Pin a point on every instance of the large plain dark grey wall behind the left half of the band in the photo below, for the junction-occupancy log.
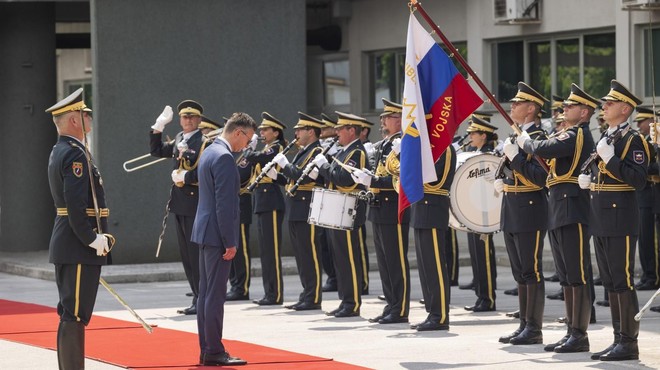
(230, 56)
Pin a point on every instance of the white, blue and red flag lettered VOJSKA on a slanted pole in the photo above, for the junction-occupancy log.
(436, 99)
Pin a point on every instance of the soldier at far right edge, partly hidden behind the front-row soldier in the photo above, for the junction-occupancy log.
(648, 247)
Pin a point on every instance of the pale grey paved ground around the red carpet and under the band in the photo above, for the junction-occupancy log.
(471, 341)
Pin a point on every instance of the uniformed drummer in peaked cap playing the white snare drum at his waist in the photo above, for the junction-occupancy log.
(346, 244)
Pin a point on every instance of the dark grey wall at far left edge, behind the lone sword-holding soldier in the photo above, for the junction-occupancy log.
(27, 88)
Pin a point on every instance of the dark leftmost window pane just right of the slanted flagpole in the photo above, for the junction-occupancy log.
(510, 69)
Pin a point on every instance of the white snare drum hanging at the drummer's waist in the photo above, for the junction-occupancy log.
(332, 209)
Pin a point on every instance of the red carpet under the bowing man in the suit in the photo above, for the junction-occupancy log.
(128, 345)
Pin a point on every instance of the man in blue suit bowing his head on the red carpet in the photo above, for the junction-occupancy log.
(216, 232)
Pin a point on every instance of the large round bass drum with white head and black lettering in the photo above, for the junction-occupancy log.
(475, 205)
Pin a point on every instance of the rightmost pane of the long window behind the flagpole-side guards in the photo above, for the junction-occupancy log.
(599, 63)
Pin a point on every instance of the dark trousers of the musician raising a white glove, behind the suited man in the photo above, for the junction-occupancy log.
(189, 252)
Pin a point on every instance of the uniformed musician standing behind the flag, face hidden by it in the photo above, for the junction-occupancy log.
(429, 248)
